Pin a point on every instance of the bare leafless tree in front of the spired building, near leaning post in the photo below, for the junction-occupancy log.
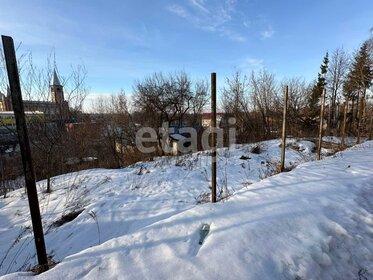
(47, 133)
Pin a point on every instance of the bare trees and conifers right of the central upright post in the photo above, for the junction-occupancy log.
(256, 99)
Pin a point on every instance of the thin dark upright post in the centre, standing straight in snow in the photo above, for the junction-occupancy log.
(213, 137)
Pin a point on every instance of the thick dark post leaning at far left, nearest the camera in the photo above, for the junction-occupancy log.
(15, 89)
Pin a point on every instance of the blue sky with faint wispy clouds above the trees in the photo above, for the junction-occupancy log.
(122, 41)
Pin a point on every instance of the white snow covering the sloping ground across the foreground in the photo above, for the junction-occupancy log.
(315, 222)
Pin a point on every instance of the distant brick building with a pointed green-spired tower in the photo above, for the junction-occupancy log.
(56, 109)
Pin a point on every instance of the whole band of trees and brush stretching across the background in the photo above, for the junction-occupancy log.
(106, 138)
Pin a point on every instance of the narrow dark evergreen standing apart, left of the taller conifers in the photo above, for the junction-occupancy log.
(313, 101)
